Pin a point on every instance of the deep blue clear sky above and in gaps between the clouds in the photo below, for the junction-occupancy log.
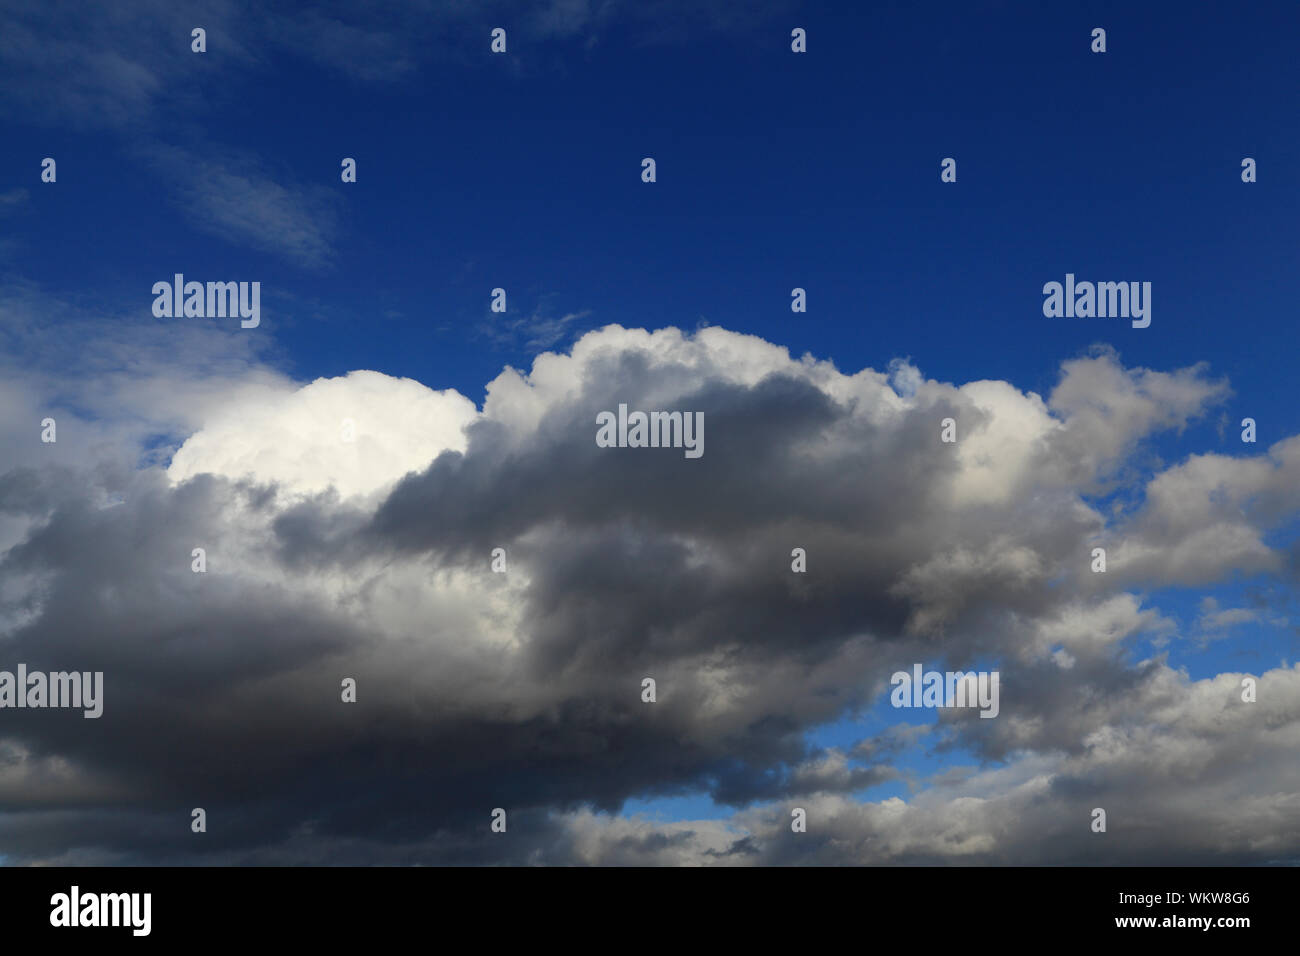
(820, 171)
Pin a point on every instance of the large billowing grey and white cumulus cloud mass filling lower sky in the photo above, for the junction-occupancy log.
(522, 690)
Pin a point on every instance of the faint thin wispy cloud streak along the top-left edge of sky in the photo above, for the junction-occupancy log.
(127, 66)
